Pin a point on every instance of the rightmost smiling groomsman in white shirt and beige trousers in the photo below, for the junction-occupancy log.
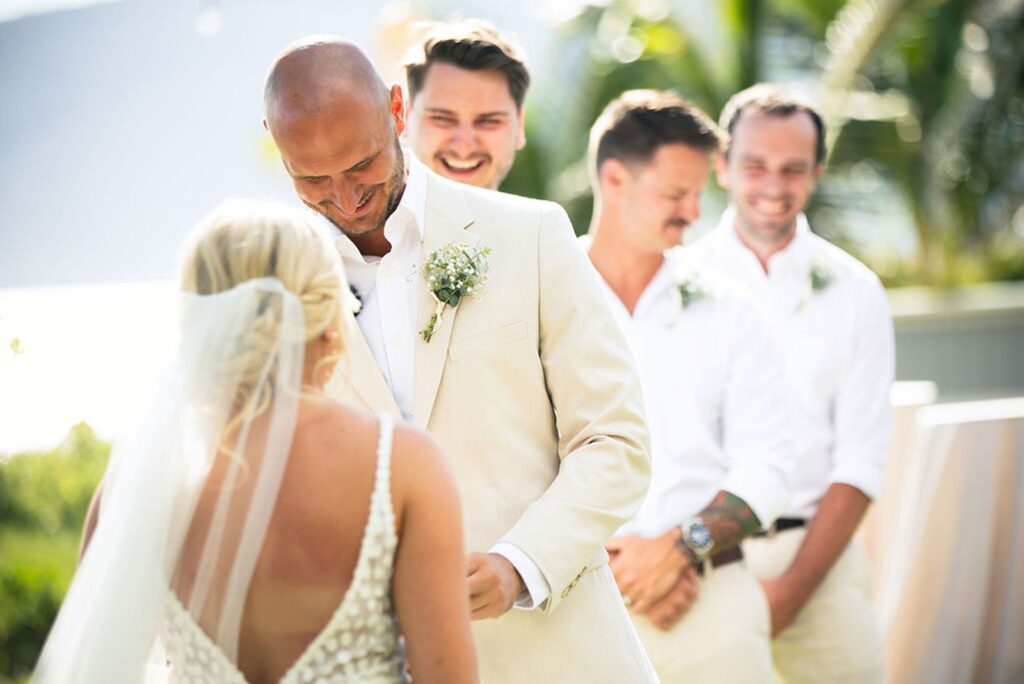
(832, 315)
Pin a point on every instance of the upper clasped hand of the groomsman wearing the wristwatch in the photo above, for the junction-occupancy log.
(647, 570)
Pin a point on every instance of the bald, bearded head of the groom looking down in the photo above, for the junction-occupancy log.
(337, 126)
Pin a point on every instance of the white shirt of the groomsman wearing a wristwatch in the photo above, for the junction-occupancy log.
(713, 382)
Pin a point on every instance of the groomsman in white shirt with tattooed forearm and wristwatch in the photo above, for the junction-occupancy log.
(713, 382)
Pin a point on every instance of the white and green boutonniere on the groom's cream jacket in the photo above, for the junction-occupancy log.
(452, 273)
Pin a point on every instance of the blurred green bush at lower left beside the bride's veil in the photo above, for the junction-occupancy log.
(44, 501)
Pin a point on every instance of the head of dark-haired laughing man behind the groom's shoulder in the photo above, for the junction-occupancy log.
(466, 90)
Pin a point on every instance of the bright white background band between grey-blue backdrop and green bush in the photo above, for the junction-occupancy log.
(89, 354)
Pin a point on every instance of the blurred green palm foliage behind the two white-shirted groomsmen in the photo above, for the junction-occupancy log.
(925, 100)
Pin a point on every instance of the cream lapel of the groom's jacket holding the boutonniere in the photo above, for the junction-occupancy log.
(447, 220)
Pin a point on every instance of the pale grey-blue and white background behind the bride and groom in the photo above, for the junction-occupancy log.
(123, 123)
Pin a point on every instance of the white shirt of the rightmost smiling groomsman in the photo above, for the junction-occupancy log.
(840, 355)
